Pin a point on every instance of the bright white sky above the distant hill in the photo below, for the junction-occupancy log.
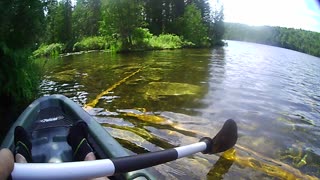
(299, 14)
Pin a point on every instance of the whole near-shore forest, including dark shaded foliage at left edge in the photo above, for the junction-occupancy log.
(35, 28)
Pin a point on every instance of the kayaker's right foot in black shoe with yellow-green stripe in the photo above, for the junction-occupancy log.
(77, 139)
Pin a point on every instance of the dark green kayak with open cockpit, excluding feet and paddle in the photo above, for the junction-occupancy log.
(48, 120)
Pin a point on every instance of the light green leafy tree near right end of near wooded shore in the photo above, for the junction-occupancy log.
(194, 29)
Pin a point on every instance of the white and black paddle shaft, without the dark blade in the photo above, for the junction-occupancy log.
(105, 167)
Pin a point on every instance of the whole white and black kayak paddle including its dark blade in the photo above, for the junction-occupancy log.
(225, 139)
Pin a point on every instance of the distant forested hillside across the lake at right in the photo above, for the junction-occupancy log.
(295, 39)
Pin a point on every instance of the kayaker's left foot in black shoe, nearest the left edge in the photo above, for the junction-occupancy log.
(22, 144)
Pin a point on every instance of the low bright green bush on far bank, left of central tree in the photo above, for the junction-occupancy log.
(90, 43)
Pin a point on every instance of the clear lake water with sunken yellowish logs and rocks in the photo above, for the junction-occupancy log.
(156, 100)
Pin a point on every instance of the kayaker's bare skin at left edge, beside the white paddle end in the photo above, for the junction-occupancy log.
(6, 163)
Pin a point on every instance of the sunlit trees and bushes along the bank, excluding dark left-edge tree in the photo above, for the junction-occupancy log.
(123, 25)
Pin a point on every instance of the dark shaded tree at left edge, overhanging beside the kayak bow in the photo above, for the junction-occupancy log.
(20, 30)
